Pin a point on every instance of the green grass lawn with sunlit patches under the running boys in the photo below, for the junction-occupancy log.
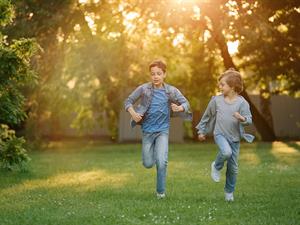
(106, 184)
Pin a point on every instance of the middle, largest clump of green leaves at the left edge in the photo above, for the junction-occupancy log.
(15, 73)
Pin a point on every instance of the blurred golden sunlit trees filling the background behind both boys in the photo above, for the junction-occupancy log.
(96, 51)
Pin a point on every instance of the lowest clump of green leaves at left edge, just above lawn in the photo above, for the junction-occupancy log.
(12, 151)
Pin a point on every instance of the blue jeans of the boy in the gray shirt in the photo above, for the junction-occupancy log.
(228, 151)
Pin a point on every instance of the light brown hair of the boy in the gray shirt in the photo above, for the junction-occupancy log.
(233, 79)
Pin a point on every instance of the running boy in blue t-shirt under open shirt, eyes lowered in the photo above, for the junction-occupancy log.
(158, 101)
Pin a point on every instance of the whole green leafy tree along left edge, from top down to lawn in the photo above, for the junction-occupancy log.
(15, 73)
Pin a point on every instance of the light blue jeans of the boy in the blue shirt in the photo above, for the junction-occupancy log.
(155, 151)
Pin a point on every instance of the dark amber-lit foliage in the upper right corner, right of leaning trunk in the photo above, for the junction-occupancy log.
(269, 48)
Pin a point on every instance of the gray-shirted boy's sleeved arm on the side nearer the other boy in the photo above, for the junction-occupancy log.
(208, 114)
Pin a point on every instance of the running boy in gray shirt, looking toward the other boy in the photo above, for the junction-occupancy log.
(225, 116)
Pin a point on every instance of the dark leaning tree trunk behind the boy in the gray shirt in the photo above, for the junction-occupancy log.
(267, 133)
